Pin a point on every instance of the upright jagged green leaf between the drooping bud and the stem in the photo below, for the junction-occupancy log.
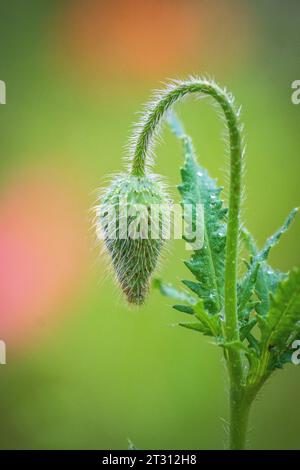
(206, 263)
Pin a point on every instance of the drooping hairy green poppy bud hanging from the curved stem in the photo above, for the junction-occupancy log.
(131, 217)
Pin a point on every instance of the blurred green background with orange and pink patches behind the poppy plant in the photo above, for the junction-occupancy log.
(83, 370)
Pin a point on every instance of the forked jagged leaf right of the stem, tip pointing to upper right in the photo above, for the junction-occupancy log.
(260, 276)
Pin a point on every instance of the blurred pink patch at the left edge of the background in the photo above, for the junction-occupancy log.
(43, 252)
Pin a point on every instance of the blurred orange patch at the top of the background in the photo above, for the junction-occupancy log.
(152, 39)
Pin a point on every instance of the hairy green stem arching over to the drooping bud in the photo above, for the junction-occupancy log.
(142, 146)
